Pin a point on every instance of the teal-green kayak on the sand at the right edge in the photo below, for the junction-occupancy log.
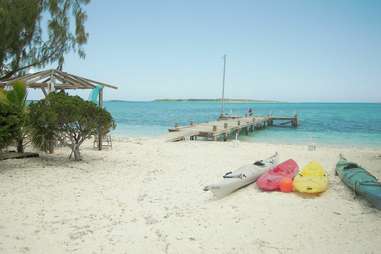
(360, 181)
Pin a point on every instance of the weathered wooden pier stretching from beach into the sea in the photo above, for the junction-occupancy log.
(227, 127)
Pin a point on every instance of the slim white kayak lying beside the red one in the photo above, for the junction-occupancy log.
(242, 177)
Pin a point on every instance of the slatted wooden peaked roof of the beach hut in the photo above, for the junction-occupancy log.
(57, 79)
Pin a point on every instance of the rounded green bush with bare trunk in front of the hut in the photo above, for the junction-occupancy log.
(69, 120)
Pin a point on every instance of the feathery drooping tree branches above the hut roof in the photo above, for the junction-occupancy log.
(35, 33)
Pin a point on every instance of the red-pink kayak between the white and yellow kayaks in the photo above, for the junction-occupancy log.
(270, 180)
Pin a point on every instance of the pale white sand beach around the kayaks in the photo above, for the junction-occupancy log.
(145, 196)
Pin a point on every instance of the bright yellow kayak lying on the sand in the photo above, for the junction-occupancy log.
(311, 179)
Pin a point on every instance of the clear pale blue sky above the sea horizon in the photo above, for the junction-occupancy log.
(295, 51)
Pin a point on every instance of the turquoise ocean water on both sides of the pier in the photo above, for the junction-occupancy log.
(336, 124)
